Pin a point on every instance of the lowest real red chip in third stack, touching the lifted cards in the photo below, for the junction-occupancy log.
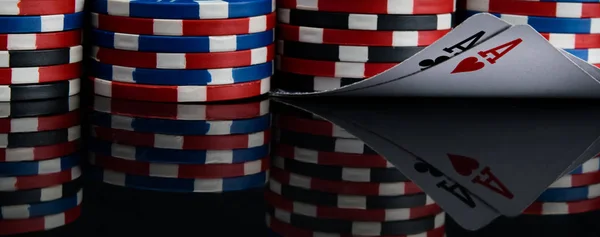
(331, 68)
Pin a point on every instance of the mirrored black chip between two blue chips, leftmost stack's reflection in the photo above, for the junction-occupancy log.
(8, 198)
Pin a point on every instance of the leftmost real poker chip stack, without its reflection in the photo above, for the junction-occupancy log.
(40, 49)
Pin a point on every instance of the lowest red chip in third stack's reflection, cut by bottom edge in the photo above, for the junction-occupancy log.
(289, 230)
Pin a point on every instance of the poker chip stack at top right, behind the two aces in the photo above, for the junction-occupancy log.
(567, 24)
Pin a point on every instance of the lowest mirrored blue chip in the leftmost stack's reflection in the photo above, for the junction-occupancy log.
(41, 208)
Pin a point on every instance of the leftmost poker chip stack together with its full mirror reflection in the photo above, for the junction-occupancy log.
(40, 66)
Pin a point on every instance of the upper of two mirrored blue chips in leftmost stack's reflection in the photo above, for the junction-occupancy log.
(38, 167)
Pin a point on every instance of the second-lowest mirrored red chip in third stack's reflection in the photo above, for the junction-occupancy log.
(381, 215)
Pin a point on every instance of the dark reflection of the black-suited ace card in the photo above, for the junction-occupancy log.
(467, 209)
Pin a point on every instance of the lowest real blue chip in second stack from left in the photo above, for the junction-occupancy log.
(178, 77)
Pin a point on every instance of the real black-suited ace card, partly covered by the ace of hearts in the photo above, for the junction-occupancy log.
(471, 32)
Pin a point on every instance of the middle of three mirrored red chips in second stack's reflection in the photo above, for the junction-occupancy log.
(199, 142)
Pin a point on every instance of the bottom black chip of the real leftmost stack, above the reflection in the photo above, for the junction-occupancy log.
(39, 91)
